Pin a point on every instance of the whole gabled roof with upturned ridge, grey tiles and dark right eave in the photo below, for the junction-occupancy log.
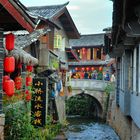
(52, 13)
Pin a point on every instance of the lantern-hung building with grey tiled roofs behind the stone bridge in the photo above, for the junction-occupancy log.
(86, 53)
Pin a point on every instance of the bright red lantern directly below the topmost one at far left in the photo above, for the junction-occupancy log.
(9, 64)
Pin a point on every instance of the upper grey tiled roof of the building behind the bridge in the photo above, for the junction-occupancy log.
(90, 40)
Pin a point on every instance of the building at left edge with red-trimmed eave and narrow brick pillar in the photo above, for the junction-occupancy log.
(13, 17)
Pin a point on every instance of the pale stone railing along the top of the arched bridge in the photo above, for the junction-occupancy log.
(89, 84)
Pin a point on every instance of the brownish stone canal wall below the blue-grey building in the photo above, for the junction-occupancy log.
(123, 125)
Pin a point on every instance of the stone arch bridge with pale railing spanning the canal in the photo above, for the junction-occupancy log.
(93, 88)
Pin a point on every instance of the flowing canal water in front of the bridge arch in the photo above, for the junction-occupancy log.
(80, 129)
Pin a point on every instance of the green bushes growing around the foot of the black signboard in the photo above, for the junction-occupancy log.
(18, 125)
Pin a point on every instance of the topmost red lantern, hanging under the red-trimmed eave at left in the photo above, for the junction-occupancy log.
(9, 41)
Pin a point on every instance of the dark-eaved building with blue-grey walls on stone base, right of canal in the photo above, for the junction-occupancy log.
(125, 47)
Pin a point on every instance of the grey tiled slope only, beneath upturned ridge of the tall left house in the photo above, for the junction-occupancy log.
(47, 12)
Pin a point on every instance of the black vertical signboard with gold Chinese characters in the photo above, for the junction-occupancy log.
(38, 104)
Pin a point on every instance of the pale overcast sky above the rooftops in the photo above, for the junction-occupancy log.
(89, 16)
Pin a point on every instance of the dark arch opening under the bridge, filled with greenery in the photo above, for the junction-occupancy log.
(84, 105)
